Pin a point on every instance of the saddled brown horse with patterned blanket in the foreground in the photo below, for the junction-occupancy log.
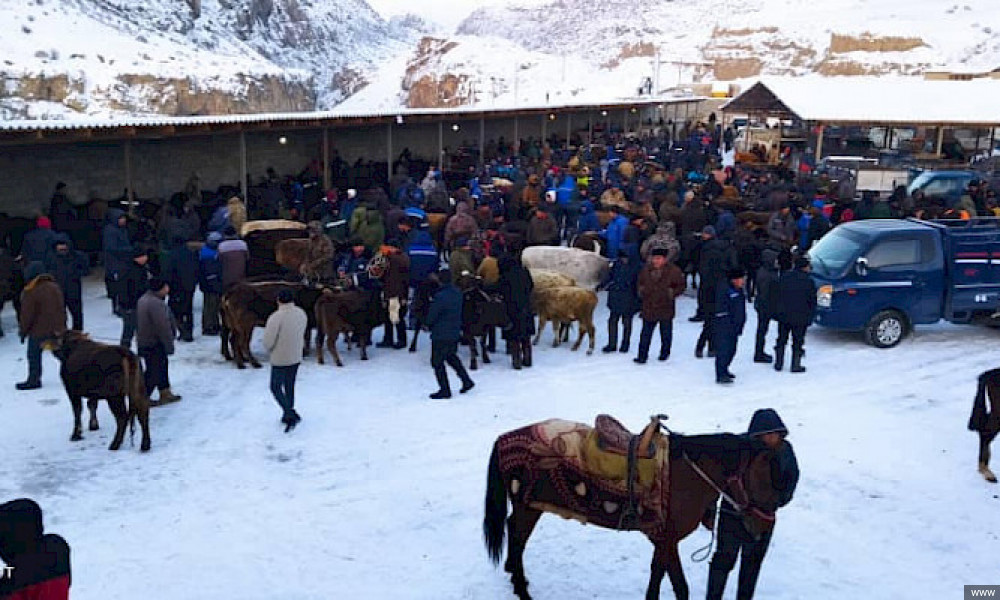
(550, 467)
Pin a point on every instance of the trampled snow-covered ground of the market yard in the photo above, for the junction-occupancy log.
(379, 492)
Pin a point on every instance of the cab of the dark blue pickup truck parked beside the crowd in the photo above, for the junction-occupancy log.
(879, 276)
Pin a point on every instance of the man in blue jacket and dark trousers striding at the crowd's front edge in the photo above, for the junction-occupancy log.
(444, 319)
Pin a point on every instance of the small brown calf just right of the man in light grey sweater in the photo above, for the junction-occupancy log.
(355, 311)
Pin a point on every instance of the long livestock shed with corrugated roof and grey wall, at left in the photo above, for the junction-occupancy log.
(152, 157)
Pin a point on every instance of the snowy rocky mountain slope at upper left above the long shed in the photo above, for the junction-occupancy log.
(128, 55)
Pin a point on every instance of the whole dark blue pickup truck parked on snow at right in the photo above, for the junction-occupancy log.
(883, 276)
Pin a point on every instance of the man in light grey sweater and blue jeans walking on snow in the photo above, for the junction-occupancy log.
(283, 339)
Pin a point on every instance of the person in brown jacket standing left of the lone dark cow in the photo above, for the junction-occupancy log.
(42, 318)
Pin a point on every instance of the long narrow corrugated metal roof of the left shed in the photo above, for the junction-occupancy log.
(111, 123)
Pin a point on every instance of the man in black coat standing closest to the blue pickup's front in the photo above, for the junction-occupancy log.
(795, 311)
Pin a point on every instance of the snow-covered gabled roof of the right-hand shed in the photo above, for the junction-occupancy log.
(892, 100)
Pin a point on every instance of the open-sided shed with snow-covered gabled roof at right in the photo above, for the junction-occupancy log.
(921, 119)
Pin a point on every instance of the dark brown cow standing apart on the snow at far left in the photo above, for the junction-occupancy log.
(97, 371)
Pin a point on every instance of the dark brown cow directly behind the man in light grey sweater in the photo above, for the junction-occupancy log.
(247, 305)
